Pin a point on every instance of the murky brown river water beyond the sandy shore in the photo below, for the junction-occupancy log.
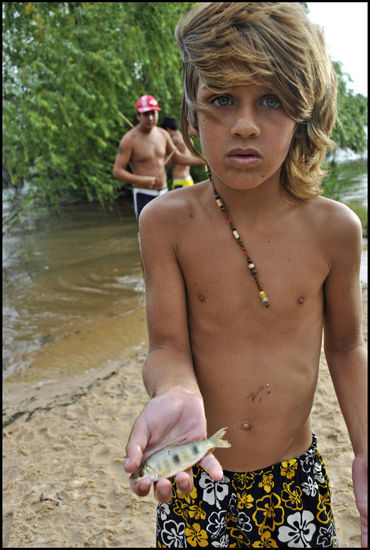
(73, 292)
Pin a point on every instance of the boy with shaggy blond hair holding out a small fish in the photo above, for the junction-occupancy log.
(256, 265)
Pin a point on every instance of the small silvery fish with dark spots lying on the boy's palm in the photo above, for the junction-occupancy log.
(173, 459)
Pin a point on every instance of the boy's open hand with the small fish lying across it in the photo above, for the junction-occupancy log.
(172, 417)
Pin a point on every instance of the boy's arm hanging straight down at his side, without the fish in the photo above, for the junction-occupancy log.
(345, 351)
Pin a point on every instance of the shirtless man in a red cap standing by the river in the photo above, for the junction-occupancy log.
(145, 148)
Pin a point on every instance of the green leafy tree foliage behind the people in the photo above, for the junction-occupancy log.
(69, 67)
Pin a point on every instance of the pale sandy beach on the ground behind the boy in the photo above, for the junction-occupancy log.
(63, 454)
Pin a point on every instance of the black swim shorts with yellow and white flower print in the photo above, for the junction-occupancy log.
(287, 505)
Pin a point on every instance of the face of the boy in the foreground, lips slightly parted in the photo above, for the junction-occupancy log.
(245, 134)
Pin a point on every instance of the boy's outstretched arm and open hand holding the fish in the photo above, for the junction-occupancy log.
(175, 411)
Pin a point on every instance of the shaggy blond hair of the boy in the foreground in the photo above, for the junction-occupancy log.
(226, 44)
